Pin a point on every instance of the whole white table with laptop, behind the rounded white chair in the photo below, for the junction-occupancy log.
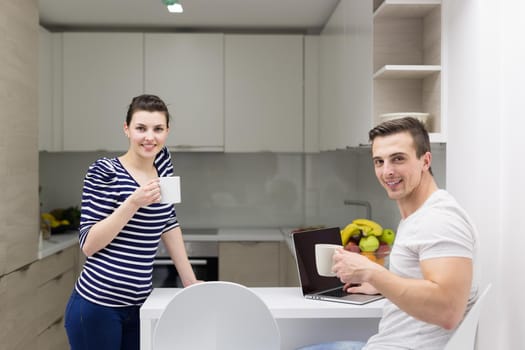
(300, 321)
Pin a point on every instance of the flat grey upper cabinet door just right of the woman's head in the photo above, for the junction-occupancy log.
(186, 71)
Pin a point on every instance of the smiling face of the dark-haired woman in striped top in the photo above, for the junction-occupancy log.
(147, 133)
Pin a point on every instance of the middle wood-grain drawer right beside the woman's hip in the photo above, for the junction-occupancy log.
(52, 298)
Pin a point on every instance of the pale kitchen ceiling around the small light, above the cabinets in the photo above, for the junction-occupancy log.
(305, 16)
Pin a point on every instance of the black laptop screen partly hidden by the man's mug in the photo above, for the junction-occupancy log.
(304, 243)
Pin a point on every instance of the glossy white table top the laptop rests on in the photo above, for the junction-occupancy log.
(284, 302)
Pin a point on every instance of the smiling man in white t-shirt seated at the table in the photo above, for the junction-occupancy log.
(432, 279)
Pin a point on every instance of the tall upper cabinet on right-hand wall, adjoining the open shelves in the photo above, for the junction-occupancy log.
(345, 76)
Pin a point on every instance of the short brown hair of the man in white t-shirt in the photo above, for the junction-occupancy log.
(408, 124)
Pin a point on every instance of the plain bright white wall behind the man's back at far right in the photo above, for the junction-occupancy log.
(485, 165)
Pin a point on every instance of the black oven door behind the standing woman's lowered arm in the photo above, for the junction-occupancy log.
(165, 274)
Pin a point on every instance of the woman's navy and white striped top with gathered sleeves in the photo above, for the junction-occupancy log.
(120, 273)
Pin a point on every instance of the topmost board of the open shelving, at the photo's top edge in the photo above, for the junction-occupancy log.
(405, 8)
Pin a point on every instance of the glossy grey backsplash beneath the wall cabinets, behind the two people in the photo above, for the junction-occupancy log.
(250, 189)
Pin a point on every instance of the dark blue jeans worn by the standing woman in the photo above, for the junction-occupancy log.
(95, 327)
